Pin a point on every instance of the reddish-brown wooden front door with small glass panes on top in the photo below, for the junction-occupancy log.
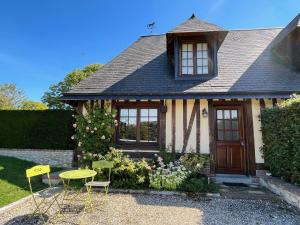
(229, 139)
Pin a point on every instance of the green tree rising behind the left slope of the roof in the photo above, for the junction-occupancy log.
(51, 97)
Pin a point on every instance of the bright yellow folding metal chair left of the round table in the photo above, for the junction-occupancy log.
(40, 170)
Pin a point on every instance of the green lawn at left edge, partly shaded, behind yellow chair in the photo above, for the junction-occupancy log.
(13, 183)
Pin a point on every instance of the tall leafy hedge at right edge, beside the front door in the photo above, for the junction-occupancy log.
(281, 138)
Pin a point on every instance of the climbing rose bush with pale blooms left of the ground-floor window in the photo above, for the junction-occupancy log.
(94, 133)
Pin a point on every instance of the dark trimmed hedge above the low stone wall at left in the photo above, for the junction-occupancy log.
(36, 129)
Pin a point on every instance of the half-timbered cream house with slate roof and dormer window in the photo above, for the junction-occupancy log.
(198, 88)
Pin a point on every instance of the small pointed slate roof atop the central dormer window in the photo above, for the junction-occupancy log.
(194, 24)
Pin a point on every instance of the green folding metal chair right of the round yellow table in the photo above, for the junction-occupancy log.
(99, 166)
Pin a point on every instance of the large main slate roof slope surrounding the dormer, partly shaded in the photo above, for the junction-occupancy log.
(246, 69)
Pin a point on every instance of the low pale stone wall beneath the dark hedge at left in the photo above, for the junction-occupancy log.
(58, 158)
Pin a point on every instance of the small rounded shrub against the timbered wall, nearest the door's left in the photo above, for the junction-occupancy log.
(196, 163)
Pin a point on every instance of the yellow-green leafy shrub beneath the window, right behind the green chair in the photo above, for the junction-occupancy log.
(127, 173)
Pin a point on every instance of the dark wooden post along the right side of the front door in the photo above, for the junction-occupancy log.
(249, 138)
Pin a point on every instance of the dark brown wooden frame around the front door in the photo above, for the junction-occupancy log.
(248, 132)
